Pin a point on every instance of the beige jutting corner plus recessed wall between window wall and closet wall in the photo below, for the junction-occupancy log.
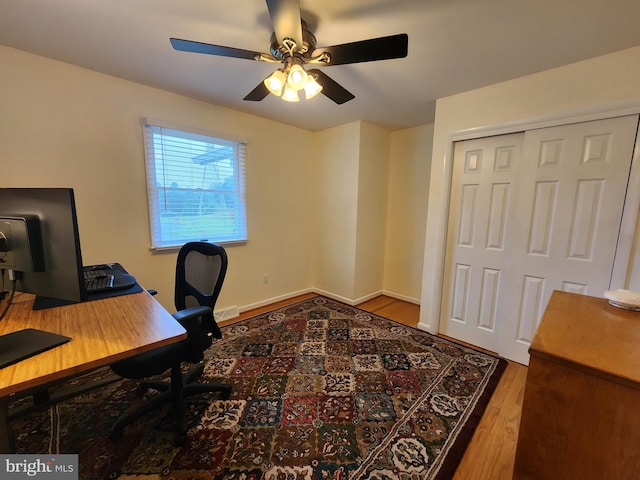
(370, 200)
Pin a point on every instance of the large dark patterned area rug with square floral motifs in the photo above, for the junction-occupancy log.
(321, 391)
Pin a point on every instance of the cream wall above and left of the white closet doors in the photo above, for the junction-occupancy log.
(580, 90)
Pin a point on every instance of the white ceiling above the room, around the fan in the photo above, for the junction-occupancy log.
(454, 46)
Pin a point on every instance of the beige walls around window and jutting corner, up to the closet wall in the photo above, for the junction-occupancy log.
(316, 205)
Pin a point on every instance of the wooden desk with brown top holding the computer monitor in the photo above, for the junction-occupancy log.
(102, 332)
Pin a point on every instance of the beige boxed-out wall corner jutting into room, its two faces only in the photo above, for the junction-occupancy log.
(350, 201)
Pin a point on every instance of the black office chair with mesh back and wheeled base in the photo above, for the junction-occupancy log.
(200, 271)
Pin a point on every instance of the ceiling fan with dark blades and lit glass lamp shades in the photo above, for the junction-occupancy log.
(294, 46)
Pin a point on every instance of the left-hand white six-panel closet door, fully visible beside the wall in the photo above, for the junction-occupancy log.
(482, 209)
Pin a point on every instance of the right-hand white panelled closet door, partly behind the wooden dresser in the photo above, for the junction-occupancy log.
(570, 210)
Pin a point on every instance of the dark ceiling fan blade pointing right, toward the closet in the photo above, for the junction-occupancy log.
(382, 48)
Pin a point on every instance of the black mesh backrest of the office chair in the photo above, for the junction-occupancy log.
(200, 271)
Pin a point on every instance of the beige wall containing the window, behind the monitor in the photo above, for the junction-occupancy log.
(61, 125)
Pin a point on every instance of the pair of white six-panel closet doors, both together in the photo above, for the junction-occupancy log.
(530, 213)
